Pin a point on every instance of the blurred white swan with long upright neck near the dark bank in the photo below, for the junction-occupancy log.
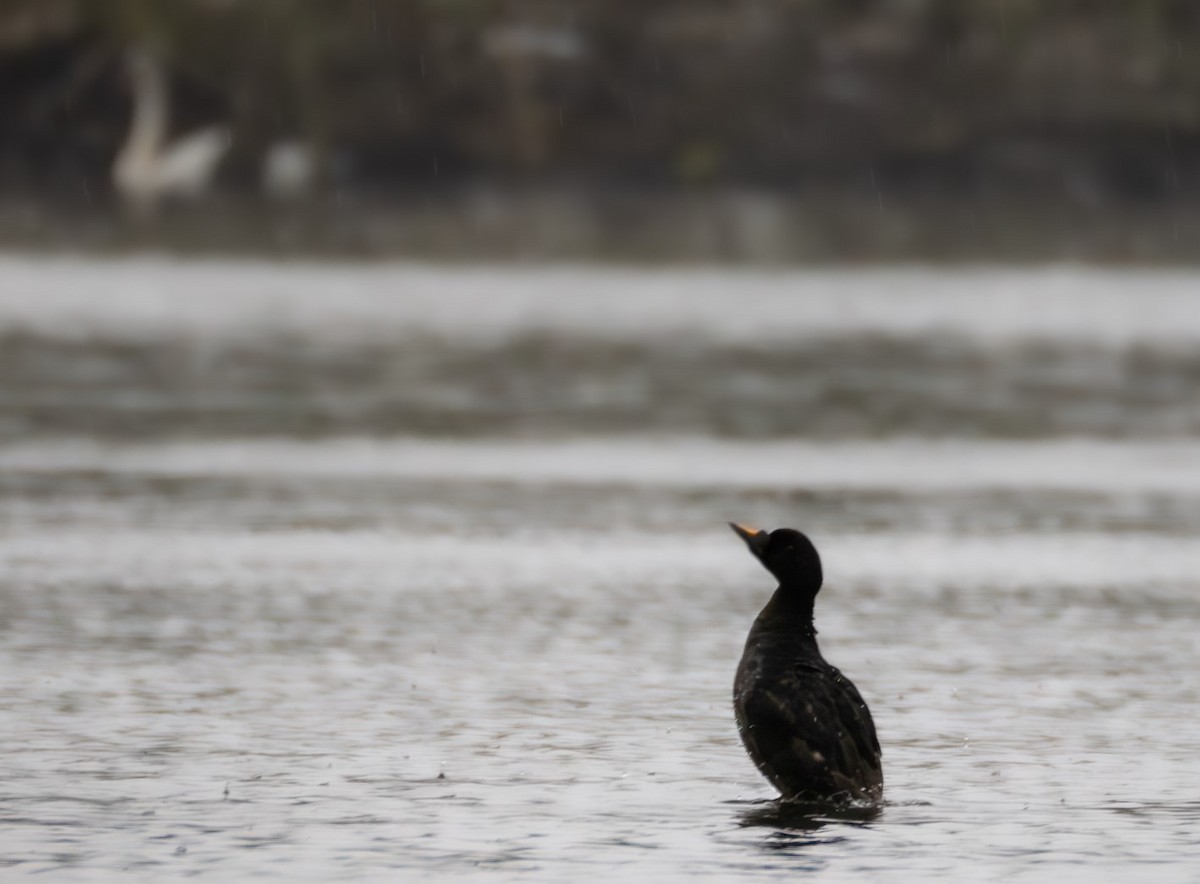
(147, 169)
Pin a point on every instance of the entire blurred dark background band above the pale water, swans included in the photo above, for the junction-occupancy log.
(797, 134)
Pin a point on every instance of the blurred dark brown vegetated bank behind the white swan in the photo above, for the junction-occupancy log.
(1082, 104)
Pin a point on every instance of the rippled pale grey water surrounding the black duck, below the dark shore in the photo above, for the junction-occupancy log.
(405, 573)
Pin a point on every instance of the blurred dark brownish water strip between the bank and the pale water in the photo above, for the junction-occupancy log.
(728, 226)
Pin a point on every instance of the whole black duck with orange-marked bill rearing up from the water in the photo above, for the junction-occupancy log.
(803, 723)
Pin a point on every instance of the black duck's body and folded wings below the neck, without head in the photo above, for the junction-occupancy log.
(803, 723)
